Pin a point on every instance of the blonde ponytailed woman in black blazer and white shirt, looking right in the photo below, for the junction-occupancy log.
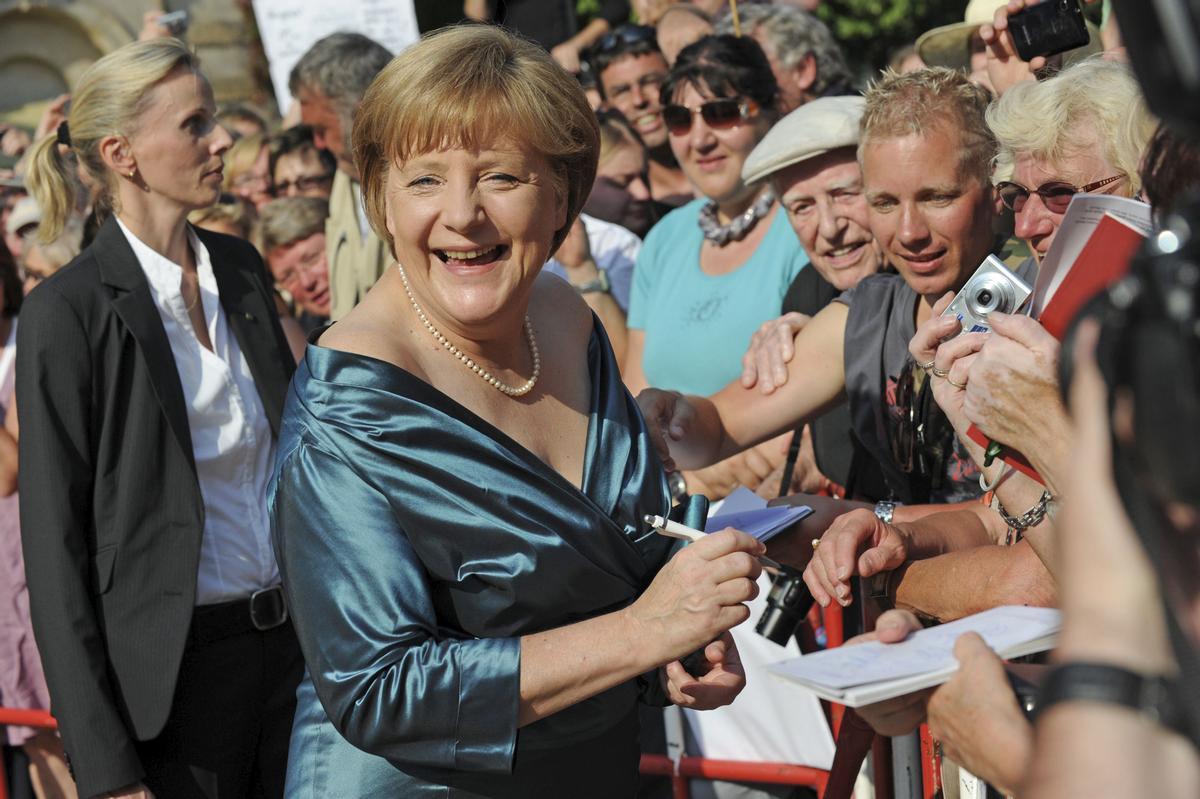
(152, 375)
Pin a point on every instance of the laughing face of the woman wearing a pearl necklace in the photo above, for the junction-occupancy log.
(472, 231)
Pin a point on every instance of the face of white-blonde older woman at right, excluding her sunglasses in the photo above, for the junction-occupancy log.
(1036, 224)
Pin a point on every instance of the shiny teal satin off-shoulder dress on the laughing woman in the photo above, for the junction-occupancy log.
(418, 543)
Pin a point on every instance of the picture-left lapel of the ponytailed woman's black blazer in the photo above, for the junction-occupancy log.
(119, 269)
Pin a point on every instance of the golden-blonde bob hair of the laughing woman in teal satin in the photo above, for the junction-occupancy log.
(470, 87)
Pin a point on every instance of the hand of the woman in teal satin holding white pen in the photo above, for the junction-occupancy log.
(700, 594)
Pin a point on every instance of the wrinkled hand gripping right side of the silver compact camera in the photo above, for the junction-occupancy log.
(1013, 385)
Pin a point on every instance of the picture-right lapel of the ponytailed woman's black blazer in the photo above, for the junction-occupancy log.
(254, 325)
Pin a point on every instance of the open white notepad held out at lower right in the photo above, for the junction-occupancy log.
(873, 672)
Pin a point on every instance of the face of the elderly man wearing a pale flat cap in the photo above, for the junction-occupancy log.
(825, 203)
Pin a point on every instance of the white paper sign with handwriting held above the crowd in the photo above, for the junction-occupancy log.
(289, 28)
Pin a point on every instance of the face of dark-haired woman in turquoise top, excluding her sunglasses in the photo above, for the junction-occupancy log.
(712, 159)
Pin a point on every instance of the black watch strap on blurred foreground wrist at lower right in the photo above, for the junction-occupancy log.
(1107, 684)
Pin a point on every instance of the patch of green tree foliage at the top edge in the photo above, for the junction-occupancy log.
(871, 31)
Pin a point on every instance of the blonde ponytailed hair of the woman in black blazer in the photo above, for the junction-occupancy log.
(107, 101)
